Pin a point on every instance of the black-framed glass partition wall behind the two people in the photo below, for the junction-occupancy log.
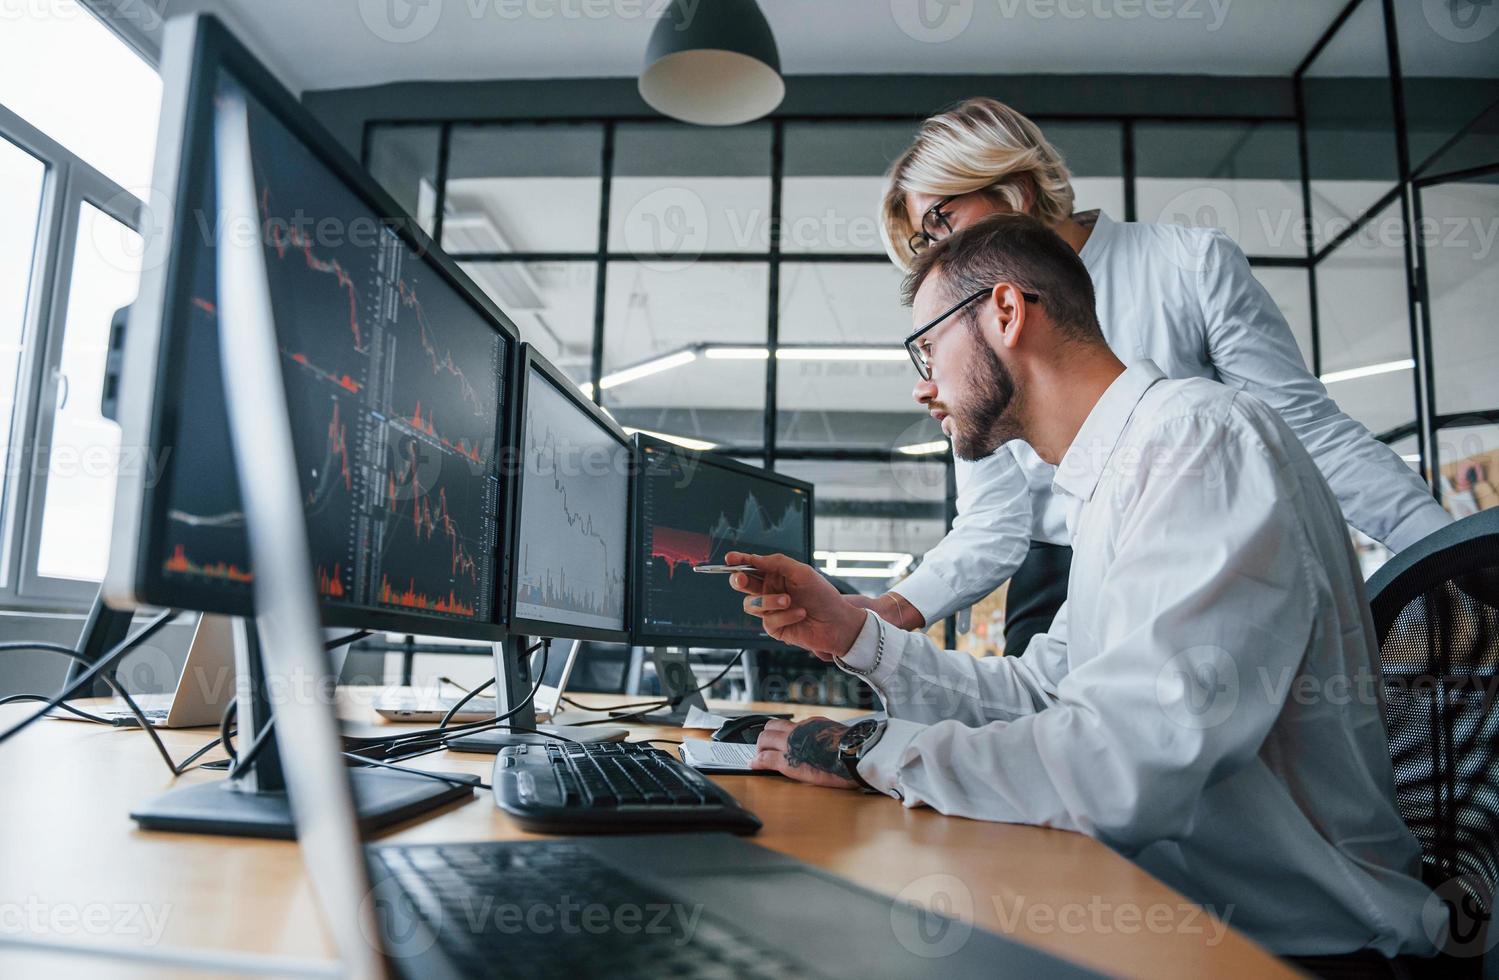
(690, 272)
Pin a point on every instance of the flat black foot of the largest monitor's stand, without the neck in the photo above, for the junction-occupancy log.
(381, 796)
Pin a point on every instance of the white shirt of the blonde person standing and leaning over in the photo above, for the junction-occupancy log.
(1186, 300)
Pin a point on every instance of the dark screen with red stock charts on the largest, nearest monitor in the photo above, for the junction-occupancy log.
(393, 384)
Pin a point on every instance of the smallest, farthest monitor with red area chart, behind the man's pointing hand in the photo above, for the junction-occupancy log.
(692, 509)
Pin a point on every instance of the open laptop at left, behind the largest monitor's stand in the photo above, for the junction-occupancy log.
(205, 689)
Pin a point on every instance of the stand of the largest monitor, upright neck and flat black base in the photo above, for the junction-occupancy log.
(254, 804)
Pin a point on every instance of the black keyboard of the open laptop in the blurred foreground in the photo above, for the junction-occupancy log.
(476, 900)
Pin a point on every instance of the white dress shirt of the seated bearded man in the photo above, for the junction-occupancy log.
(1206, 702)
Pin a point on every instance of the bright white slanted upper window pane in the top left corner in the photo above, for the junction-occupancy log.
(68, 76)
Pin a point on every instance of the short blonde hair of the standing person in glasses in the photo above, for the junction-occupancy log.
(981, 145)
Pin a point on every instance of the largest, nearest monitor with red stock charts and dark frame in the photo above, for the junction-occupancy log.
(396, 369)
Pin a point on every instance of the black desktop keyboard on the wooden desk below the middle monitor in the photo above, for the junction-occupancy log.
(611, 787)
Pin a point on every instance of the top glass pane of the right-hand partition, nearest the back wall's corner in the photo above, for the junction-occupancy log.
(1350, 116)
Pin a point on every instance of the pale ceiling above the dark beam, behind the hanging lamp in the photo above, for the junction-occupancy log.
(362, 43)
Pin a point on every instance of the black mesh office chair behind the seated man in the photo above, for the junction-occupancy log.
(1437, 617)
